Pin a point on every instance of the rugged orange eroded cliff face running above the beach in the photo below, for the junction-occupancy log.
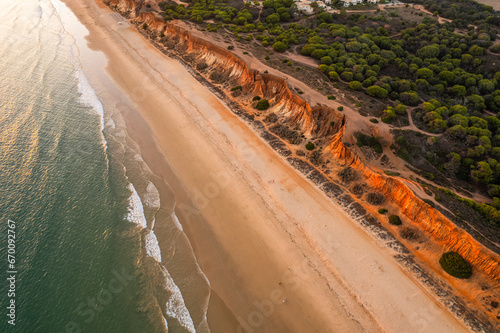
(315, 122)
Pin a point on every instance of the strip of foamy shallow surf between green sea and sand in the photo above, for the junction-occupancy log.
(157, 216)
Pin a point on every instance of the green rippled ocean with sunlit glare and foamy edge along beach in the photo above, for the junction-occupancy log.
(77, 196)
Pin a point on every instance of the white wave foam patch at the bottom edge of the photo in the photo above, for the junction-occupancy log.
(176, 308)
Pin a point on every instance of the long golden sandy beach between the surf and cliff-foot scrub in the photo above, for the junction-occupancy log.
(280, 256)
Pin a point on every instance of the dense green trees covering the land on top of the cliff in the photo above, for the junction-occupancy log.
(443, 75)
